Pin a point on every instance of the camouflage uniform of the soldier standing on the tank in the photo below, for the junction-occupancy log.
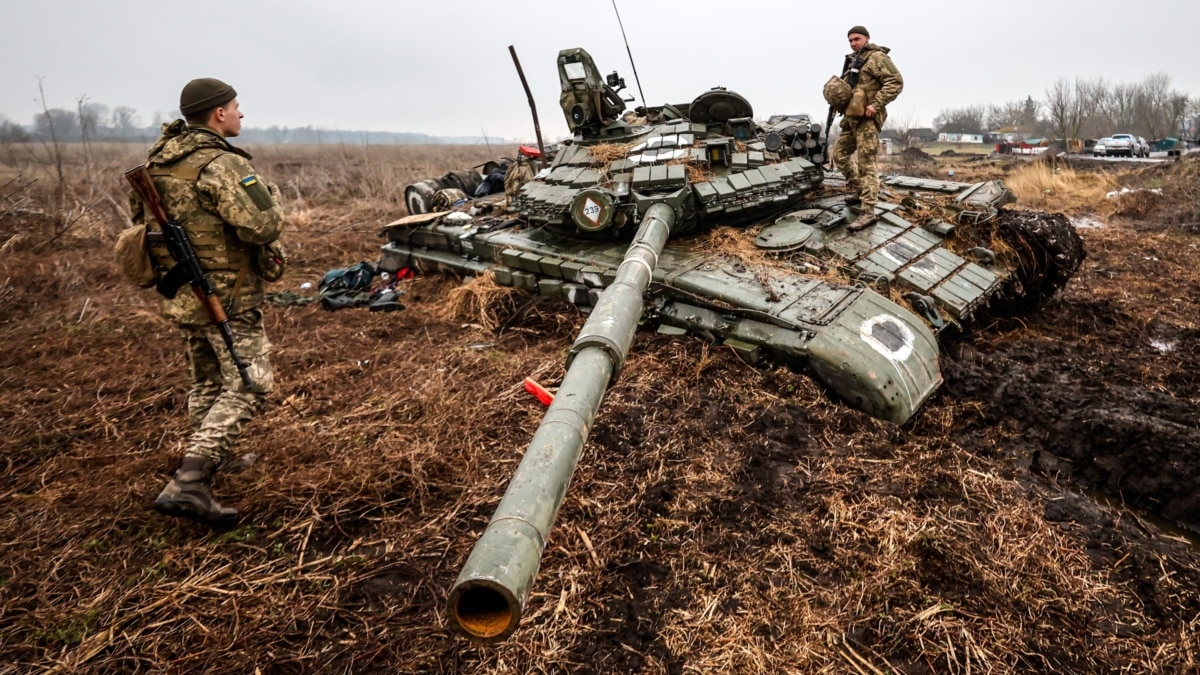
(881, 82)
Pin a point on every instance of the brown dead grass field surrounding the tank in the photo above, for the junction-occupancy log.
(724, 519)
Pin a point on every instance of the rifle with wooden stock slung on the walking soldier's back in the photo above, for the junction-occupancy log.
(188, 267)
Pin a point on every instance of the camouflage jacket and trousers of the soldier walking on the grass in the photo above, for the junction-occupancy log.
(212, 189)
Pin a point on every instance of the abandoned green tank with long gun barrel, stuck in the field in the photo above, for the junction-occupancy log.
(611, 226)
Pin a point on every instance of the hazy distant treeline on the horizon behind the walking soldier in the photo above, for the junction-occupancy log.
(99, 123)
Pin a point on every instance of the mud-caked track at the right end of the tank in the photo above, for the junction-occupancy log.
(1049, 253)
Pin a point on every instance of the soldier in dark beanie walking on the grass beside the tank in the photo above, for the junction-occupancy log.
(212, 189)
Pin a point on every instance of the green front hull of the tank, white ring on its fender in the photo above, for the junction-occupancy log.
(869, 351)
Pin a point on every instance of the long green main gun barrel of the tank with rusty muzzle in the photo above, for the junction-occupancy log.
(490, 595)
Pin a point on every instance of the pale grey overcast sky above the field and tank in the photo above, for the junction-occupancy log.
(443, 68)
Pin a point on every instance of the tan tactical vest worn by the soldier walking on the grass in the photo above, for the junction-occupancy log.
(217, 243)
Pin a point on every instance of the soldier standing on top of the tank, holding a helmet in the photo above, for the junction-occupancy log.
(859, 145)
